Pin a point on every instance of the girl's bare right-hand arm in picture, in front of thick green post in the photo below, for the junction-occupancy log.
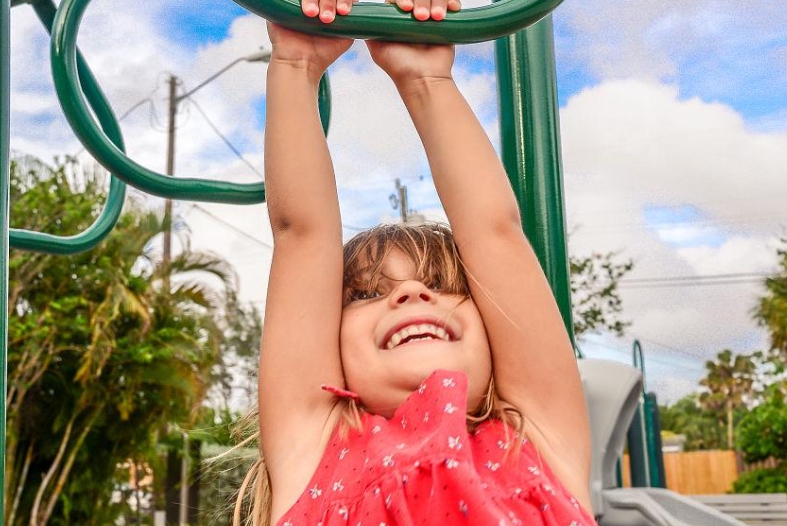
(534, 363)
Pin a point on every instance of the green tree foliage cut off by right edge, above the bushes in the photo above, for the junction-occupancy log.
(771, 311)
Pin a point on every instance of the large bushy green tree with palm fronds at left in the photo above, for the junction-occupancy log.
(100, 358)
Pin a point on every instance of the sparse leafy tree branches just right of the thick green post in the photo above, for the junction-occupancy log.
(595, 296)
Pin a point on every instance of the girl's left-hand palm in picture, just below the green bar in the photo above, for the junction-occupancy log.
(311, 52)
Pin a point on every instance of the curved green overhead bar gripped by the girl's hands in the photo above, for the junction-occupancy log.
(387, 22)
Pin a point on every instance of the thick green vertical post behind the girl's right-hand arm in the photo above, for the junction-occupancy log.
(530, 140)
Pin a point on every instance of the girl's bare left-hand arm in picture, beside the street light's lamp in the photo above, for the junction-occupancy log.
(300, 348)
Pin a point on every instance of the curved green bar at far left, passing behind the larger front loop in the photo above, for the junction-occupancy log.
(51, 244)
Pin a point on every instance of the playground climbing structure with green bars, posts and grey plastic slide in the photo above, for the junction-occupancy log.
(530, 151)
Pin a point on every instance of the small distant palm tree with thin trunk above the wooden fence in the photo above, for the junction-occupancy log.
(728, 384)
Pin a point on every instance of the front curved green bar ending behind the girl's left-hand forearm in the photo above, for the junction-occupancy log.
(69, 91)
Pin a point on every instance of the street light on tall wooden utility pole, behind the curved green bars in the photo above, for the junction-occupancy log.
(263, 55)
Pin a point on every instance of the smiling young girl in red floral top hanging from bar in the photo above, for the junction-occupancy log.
(415, 376)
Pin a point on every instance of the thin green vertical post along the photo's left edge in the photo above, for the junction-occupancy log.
(5, 168)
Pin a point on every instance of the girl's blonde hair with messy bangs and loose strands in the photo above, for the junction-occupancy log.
(432, 250)
